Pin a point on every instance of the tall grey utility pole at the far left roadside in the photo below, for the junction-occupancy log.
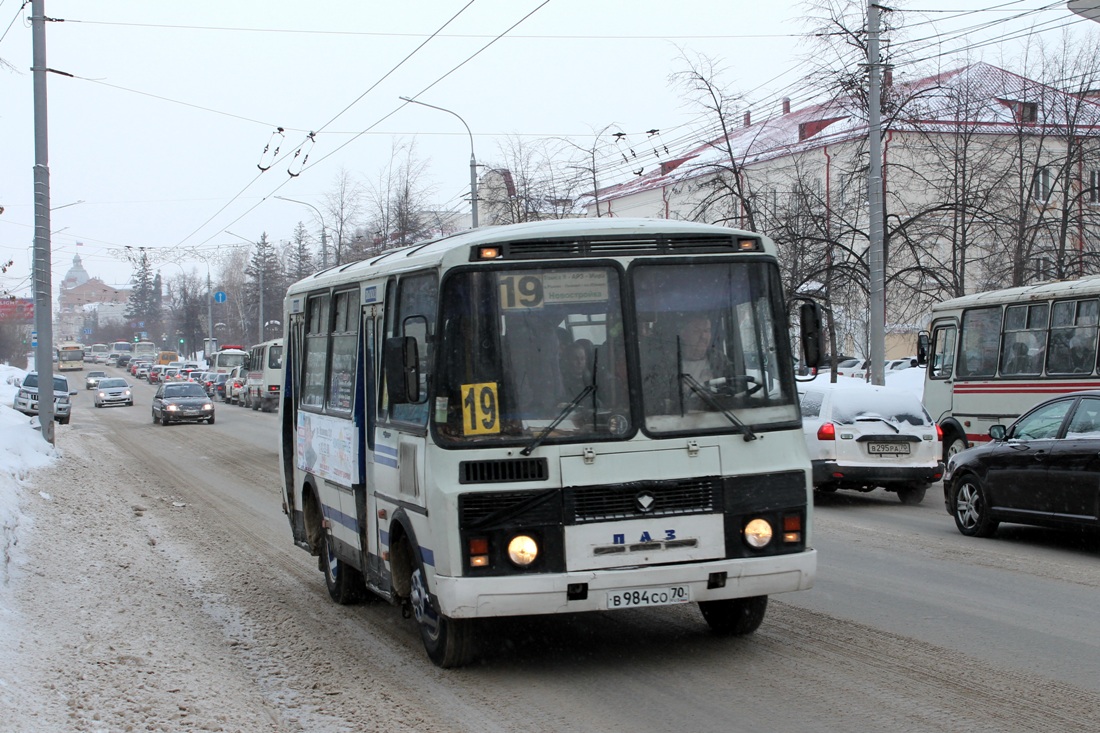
(43, 279)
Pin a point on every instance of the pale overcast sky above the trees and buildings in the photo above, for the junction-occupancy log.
(160, 132)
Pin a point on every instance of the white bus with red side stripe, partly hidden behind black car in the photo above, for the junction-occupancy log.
(995, 355)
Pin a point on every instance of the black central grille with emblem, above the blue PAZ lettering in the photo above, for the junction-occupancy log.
(643, 499)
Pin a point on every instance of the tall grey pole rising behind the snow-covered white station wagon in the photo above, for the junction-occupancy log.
(876, 262)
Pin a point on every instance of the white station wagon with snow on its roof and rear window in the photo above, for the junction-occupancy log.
(862, 437)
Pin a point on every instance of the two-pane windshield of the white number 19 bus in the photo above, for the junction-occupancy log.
(540, 353)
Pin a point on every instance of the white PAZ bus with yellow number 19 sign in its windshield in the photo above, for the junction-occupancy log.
(551, 418)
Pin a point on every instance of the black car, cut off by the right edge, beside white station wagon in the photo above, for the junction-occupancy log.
(1043, 471)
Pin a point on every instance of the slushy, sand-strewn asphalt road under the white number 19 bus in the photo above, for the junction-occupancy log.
(160, 590)
